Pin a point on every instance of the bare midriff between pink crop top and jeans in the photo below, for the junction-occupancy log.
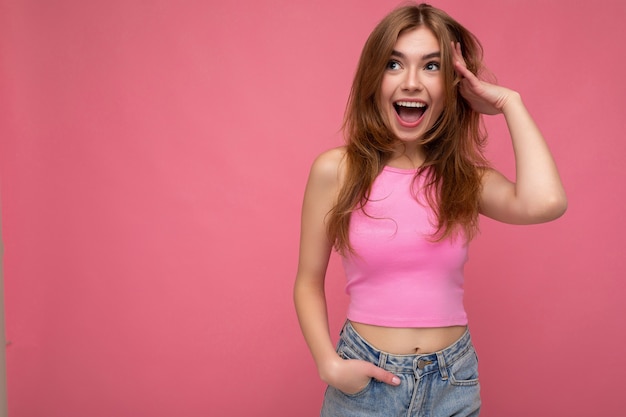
(409, 341)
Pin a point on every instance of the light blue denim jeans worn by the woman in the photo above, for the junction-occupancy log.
(441, 384)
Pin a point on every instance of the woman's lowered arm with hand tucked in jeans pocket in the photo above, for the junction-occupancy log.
(349, 376)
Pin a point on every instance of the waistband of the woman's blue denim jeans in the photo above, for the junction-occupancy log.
(418, 364)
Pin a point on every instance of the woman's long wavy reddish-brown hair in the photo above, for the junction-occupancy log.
(454, 145)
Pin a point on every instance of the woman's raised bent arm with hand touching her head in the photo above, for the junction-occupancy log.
(537, 195)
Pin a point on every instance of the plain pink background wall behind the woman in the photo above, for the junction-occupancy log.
(153, 156)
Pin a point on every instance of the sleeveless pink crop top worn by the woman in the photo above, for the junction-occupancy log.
(398, 277)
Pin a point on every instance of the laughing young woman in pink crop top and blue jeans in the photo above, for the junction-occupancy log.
(400, 203)
